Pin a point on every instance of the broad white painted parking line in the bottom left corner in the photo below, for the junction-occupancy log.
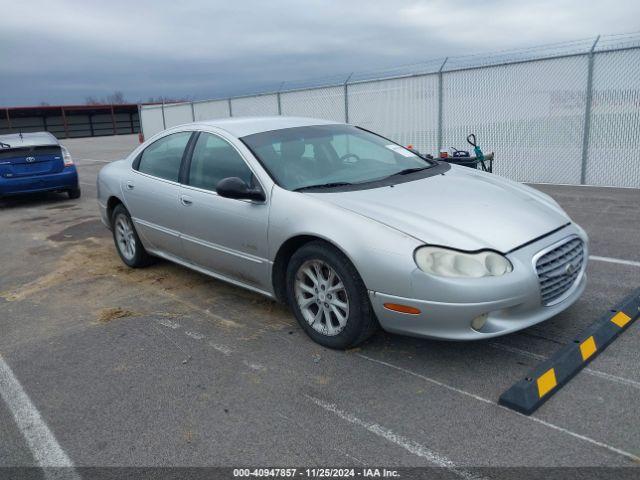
(46, 450)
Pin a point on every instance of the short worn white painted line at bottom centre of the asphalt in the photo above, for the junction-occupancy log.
(390, 436)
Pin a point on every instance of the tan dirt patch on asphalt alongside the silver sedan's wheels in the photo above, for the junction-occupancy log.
(92, 276)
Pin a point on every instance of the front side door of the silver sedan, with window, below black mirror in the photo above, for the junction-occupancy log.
(223, 235)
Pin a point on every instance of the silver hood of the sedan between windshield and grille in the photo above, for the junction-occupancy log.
(463, 209)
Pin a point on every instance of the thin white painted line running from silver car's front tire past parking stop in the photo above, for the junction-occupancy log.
(479, 398)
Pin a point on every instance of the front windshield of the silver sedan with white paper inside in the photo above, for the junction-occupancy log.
(325, 156)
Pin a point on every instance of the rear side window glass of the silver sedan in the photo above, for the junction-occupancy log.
(163, 157)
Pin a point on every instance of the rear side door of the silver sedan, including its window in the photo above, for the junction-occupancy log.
(152, 192)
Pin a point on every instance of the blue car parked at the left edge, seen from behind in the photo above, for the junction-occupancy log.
(36, 162)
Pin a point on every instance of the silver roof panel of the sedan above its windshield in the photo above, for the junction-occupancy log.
(243, 126)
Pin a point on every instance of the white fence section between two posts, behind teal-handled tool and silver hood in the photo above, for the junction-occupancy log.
(531, 114)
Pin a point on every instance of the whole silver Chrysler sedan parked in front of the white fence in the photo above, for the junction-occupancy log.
(348, 228)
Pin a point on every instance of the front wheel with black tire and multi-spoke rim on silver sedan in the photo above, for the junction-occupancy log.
(307, 301)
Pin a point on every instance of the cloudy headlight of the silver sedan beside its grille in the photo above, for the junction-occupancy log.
(451, 263)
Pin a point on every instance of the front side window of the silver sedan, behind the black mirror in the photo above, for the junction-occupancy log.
(214, 159)
